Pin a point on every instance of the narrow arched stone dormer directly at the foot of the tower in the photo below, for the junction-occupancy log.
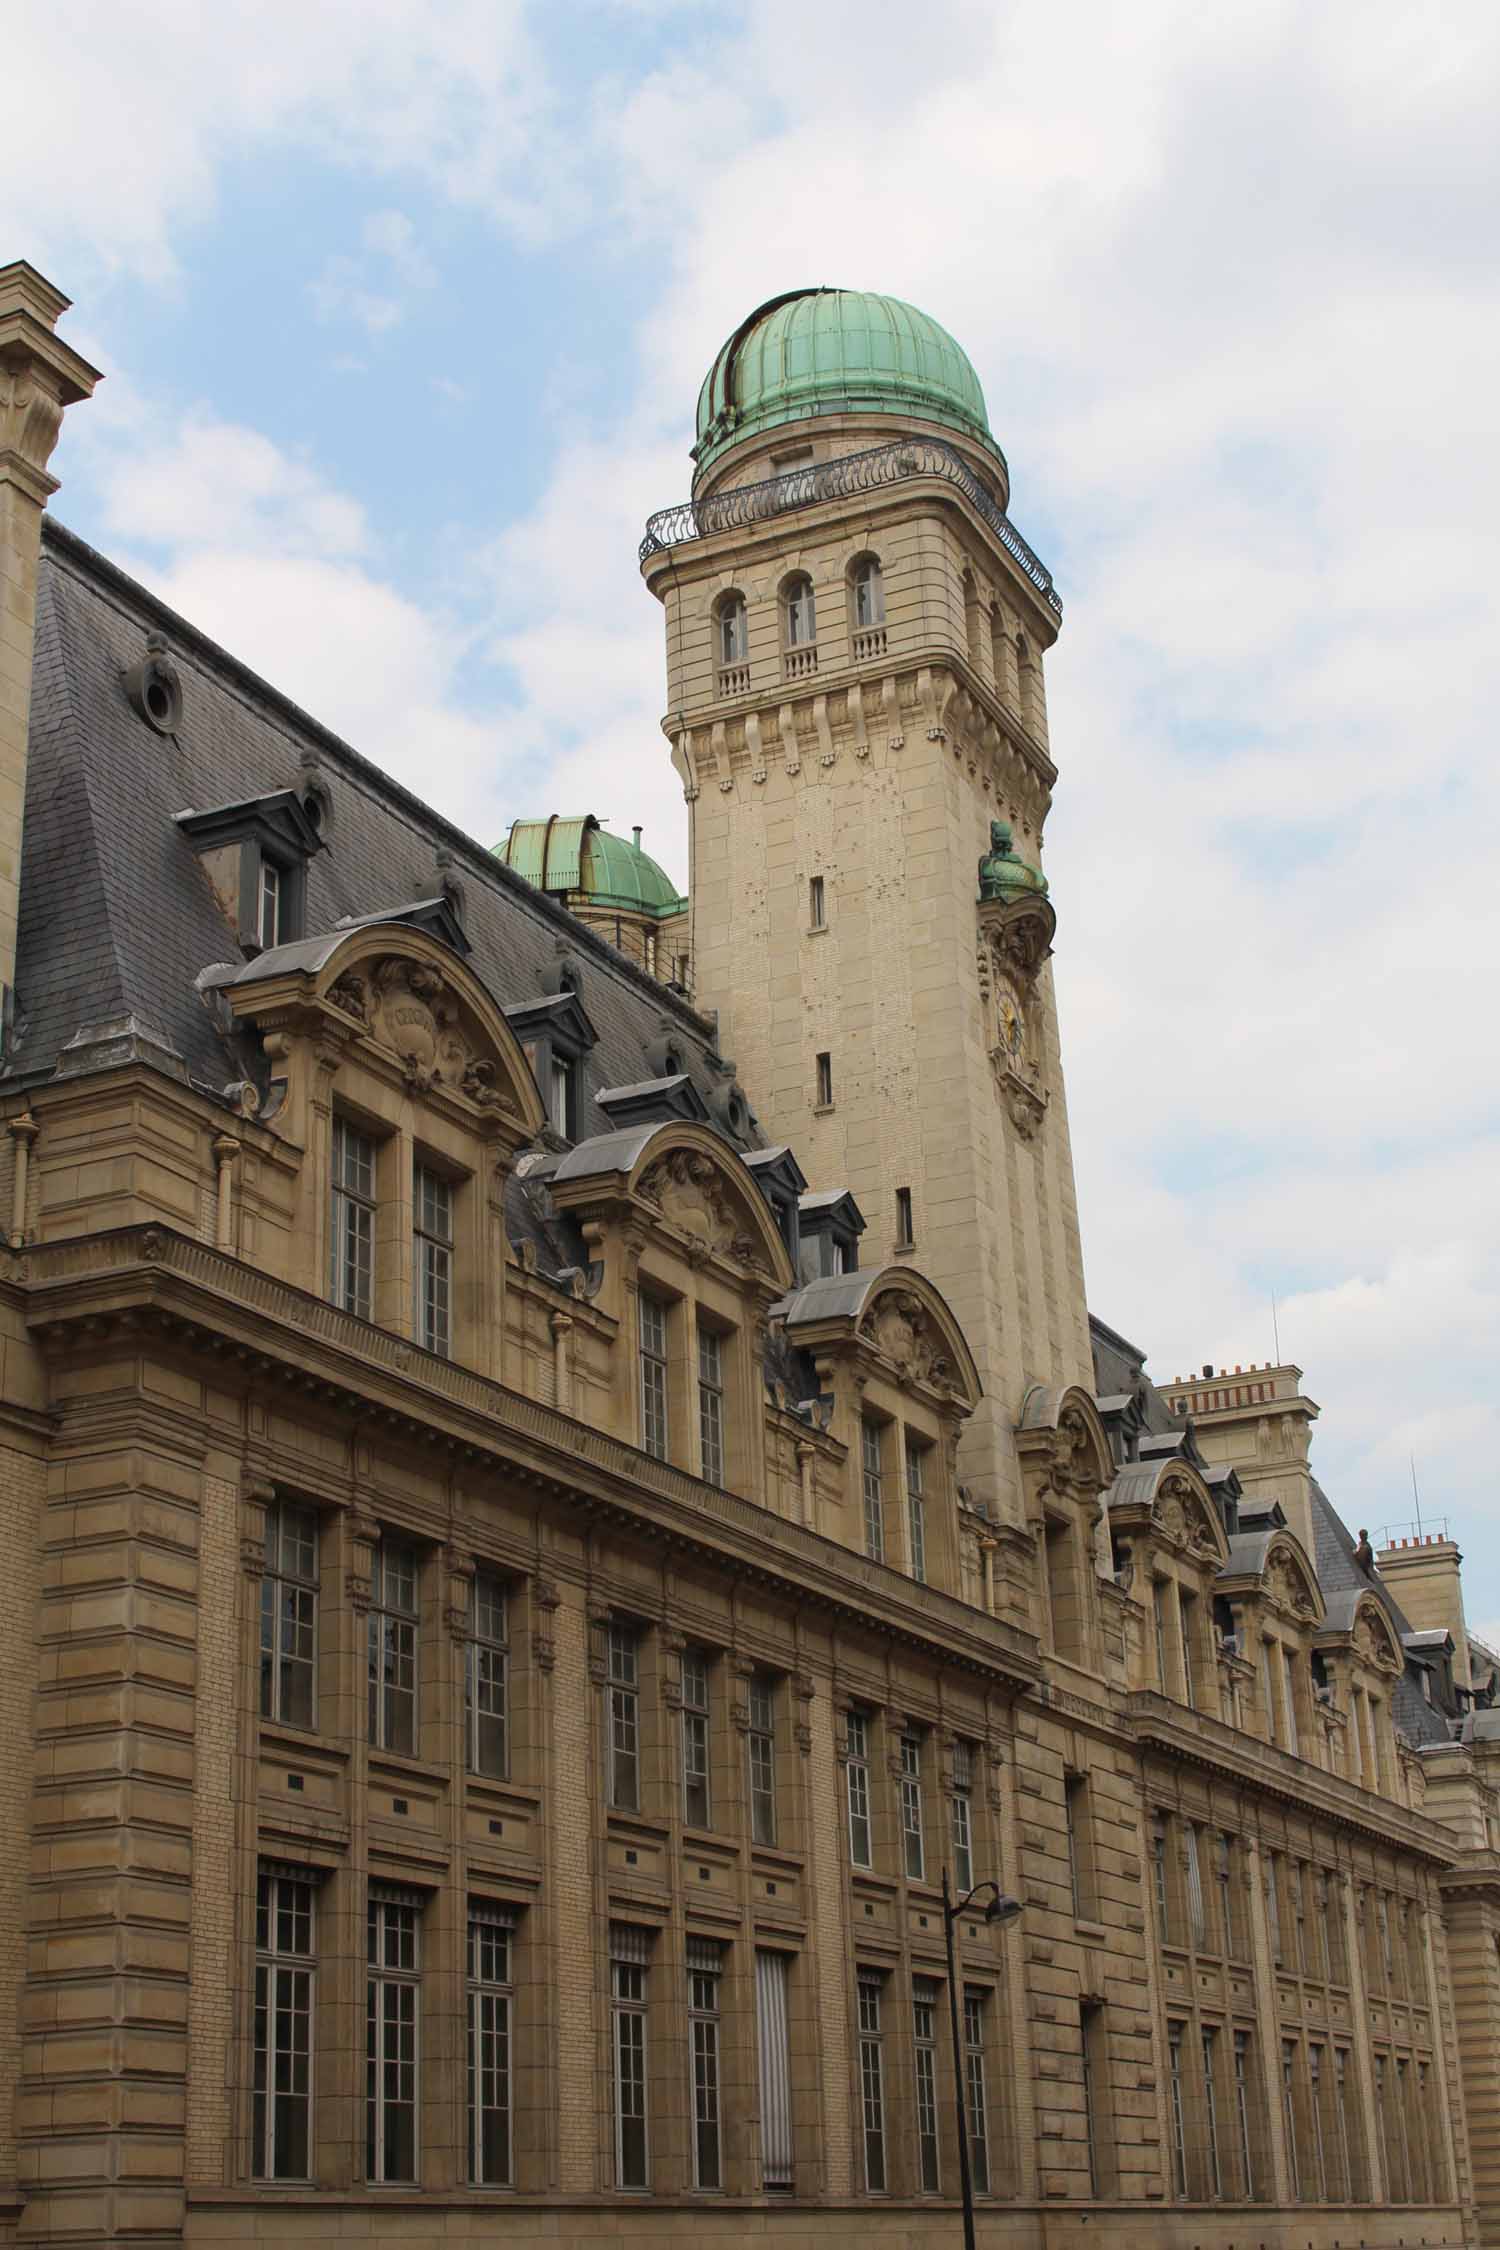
(1065, 1473)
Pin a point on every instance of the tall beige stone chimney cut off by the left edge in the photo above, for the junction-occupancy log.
(39, 379)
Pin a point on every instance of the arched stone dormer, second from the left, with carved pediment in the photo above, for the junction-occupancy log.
(692, 1261)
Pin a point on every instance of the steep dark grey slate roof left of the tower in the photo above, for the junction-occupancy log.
(102, 840)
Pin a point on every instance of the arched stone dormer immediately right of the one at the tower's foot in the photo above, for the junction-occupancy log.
(1168, 1549)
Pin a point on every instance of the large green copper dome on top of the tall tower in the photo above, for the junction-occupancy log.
(835, 352)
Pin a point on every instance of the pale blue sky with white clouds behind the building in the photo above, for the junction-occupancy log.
(404, 309)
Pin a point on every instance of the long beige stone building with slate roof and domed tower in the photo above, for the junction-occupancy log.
(516, 1608)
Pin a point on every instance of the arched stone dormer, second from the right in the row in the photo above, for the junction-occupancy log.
(1276, 1605)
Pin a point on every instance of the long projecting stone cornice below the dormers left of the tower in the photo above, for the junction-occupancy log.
(201, 1299)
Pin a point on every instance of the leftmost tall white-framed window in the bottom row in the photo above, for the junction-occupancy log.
(282, 2125)
